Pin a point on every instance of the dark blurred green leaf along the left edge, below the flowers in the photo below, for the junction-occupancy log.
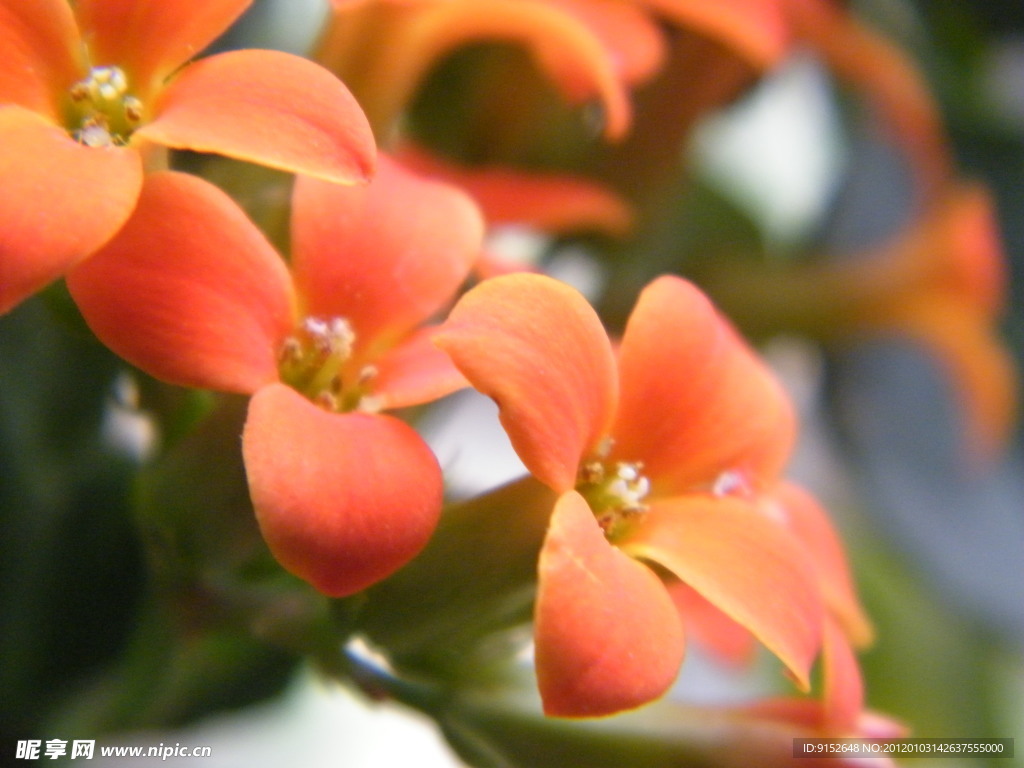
(71, 573)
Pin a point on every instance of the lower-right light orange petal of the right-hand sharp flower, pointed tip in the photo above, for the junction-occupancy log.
(747, 566)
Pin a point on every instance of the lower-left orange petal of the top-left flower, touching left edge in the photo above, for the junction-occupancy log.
(60, 201)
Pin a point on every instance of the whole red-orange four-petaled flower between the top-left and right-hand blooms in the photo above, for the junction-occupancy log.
(192, 292)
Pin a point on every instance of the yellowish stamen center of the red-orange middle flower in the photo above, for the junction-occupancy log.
(314, 361)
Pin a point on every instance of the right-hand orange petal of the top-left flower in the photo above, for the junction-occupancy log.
(269, 108)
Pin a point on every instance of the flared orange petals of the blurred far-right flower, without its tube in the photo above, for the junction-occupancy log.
(944, 283)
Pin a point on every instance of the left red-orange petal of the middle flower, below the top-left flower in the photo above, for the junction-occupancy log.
(190, 291)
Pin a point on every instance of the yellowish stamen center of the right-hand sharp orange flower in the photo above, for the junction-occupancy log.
(615, 491)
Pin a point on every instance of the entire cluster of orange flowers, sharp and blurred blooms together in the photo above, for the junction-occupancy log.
(665, 448)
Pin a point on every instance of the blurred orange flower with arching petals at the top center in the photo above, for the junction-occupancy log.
(590, 50)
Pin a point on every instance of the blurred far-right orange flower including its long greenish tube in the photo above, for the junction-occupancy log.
(941, 282)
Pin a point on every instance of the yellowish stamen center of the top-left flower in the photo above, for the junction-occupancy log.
(103, 113)
